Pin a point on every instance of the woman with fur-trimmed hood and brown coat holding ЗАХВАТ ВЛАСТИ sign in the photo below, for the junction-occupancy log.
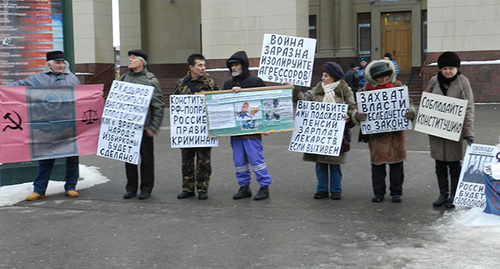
(385, 148)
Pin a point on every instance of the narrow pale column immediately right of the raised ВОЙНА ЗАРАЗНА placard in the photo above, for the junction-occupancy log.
(326, 45)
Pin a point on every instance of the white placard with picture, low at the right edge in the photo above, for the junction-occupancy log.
(470, 189)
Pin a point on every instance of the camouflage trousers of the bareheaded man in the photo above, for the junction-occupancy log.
(196, 176)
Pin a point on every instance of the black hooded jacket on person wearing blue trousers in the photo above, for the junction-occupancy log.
(244, 80)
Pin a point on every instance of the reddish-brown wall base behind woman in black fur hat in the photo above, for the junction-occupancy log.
(484, 78)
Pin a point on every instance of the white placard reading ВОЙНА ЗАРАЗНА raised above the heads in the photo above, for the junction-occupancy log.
(287, 59)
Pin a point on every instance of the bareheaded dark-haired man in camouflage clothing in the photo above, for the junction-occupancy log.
(196, 80)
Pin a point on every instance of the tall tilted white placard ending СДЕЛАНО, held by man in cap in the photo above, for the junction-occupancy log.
(123, 120)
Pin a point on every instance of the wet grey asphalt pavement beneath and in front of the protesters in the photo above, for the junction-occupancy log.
(289, 230)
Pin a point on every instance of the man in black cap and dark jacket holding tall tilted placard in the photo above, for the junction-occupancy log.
(139, 74)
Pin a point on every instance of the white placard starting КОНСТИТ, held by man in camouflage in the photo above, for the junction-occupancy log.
(188, 122)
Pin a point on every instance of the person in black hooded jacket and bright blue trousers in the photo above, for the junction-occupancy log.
(247, 148)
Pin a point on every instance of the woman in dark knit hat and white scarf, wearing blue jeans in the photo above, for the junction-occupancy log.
(332, 89)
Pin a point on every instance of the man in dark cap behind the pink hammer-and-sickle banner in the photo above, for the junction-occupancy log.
(56, 72)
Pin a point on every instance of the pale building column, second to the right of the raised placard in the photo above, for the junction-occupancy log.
(346, 37)
